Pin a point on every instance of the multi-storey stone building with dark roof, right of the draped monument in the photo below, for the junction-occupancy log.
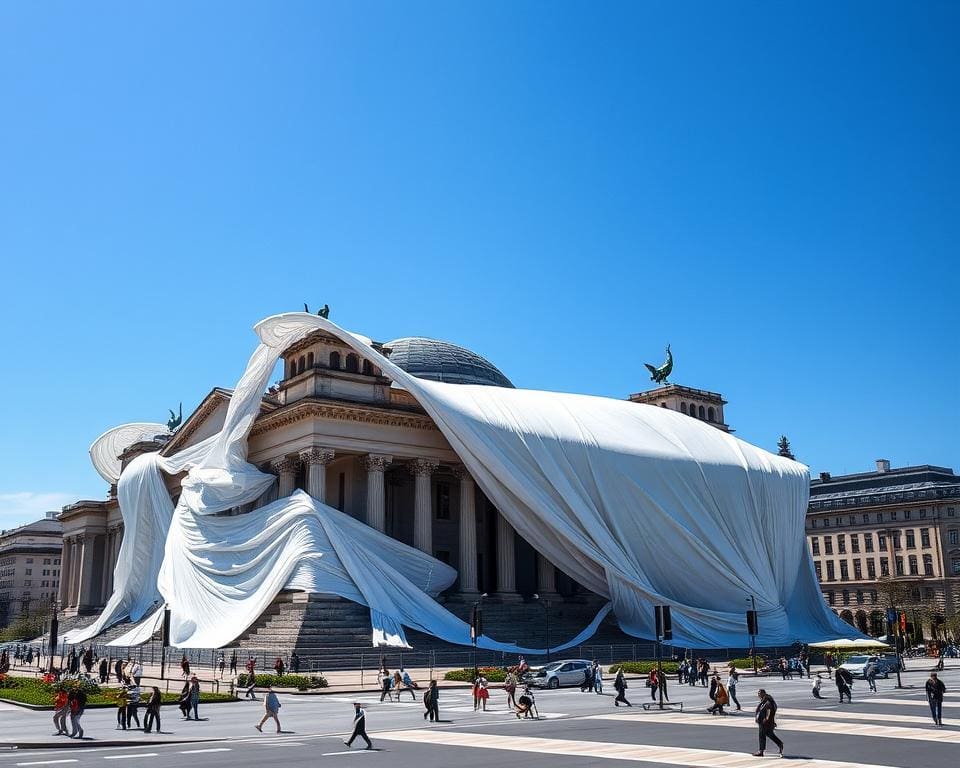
(888, 538)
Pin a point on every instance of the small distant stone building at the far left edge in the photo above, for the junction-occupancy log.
(29, 567)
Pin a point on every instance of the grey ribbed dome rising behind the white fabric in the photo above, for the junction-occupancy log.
(441, 361)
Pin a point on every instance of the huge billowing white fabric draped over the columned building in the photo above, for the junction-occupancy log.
(640, 504)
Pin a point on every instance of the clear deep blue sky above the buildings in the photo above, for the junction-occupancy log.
(564, 187)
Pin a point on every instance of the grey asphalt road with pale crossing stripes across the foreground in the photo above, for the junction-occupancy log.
(891, 728)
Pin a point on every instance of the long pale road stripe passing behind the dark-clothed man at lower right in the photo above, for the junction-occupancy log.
(787, 724)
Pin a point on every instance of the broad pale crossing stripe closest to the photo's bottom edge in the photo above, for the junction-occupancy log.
(641, 753)
